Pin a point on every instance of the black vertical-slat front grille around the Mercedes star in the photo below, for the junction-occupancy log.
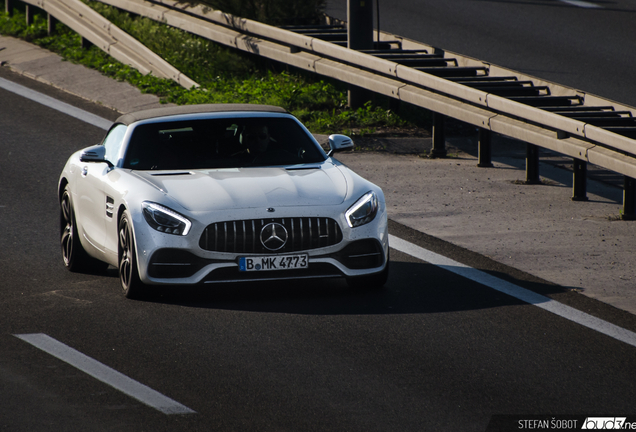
(303, 233)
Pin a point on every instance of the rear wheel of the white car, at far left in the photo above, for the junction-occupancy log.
(73, 254)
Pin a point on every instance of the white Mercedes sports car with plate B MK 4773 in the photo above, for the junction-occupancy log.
(204, 194)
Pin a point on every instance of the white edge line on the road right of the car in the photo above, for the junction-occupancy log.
(513, 290)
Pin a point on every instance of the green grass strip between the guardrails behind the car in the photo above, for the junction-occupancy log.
(225, 75)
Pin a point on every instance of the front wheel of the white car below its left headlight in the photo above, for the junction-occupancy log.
(128, 269)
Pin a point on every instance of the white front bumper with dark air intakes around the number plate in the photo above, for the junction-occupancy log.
(165, 259)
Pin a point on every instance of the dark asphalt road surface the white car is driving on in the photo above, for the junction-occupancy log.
(433, 351)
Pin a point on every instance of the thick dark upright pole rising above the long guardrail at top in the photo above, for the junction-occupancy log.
(359, 37)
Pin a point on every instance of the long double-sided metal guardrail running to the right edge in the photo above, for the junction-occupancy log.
(494, 99)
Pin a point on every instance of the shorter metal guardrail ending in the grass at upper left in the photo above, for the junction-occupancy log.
(111, 39)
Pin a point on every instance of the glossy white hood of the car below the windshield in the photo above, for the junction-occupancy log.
(222, 189)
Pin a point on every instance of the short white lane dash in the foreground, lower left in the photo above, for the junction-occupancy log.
(107, 375)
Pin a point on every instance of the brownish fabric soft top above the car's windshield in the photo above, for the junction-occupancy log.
(194, 109)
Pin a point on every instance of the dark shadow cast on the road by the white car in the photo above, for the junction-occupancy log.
(413, 287)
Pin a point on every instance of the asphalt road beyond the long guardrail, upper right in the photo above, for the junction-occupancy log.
(586, 45)
